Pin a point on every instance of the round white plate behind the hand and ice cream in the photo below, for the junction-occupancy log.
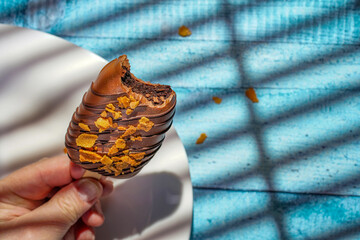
(42, 80)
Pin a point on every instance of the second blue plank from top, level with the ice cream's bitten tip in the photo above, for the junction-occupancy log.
(192, 64)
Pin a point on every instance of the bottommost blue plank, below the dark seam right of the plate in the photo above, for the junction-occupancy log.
(258, 215)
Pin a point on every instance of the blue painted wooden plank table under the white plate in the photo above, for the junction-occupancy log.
(287, 167)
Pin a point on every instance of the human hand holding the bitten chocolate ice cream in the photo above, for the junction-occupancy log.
(49, 200)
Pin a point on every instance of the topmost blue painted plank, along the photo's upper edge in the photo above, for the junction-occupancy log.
(309, 21)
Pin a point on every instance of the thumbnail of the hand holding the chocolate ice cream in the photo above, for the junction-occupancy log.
(88, 189)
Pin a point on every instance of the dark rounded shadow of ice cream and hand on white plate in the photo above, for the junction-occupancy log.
(139, 203)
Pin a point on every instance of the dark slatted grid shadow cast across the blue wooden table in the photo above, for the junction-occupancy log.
(276, 208)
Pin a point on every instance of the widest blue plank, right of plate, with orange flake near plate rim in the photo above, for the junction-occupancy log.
(292, 140)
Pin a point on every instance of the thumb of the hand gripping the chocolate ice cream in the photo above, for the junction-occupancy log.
(68, 205)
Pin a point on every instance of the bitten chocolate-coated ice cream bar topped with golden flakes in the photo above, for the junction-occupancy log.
(120, 123)
